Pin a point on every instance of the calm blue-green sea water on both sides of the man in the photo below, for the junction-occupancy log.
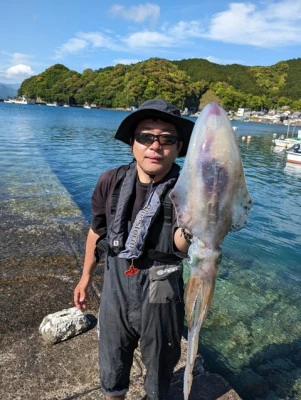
(252, 334)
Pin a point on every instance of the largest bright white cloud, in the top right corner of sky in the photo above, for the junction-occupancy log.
(276, 25)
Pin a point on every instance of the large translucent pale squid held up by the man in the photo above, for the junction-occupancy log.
(211, 198)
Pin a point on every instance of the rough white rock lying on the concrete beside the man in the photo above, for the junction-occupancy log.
(63, 325)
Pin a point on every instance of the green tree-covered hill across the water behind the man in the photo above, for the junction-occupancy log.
(182, 82)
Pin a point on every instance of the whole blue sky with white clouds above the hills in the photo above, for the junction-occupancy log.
(35, 35)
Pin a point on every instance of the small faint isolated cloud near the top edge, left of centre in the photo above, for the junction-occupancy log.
(138, 14)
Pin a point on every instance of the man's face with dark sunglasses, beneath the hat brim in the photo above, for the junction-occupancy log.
(154, 158)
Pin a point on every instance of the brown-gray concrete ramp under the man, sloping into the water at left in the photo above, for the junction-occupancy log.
(42, 246)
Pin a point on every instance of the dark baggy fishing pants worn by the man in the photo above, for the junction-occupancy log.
(148, 307)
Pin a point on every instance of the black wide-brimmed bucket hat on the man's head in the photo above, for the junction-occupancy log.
(161, 109)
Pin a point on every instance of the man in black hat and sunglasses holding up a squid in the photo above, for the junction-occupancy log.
(142, 298)
